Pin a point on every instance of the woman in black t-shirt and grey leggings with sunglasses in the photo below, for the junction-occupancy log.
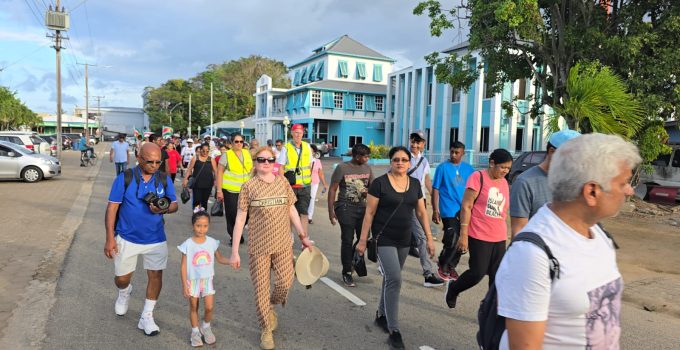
(390, 202)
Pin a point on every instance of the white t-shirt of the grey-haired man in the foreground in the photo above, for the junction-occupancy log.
(583, 305)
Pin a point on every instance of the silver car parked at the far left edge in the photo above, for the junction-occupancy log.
(17, 162)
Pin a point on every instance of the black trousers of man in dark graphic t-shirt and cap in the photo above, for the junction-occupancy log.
(350, 218)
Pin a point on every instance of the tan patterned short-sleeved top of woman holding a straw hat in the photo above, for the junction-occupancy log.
(268, 205)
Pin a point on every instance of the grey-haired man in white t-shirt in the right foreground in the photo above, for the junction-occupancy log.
(589, 181)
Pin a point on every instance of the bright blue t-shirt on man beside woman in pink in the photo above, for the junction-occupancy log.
(450, 180)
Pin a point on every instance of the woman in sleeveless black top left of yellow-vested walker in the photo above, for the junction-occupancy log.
(202, 168)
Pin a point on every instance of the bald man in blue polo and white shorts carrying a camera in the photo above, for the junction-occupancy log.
(135, 228)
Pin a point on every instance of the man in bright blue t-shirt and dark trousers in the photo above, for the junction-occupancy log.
(447, 196)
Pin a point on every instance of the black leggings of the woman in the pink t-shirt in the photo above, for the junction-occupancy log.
(485, 257)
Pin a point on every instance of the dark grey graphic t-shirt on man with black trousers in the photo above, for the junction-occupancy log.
(354, 180)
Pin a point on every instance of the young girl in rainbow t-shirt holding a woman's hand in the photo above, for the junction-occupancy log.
(197, 275)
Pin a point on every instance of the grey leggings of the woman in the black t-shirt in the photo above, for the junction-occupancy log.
(391, 261)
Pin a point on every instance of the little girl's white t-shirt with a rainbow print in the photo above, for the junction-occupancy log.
(200, 257)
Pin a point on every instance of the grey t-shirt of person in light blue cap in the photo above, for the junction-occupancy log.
(529, 192)
